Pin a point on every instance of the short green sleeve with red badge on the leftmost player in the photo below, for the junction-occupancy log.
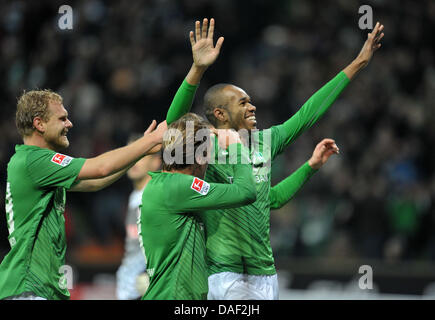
(48, 168)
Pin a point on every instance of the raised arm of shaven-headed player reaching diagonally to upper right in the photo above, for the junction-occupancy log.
(316, 106)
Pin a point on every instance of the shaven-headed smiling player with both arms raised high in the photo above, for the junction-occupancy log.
(240, 259)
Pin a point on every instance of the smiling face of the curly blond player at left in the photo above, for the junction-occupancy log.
(57, 126)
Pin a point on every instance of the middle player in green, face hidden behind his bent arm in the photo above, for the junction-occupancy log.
(170, 229)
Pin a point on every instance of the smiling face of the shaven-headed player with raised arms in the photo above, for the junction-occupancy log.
(241, 112)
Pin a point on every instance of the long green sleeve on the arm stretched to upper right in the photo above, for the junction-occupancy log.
(312, 110)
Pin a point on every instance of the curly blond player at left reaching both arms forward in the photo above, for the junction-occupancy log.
(38, 176)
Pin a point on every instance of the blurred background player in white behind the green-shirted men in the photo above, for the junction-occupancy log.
(131, 278)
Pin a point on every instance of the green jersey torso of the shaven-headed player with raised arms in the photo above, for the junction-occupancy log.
(239, 240)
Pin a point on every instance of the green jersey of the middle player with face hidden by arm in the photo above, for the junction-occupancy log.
(171, 232)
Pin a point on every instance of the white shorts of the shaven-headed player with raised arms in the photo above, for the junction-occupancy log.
(238, 286)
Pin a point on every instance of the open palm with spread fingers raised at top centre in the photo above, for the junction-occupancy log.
(203, 51)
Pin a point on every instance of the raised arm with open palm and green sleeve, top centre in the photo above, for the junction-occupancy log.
(204, 54)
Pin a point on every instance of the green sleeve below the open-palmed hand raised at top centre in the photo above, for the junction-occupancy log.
(182, 102)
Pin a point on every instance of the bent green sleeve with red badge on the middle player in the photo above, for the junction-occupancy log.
(195, 194)
